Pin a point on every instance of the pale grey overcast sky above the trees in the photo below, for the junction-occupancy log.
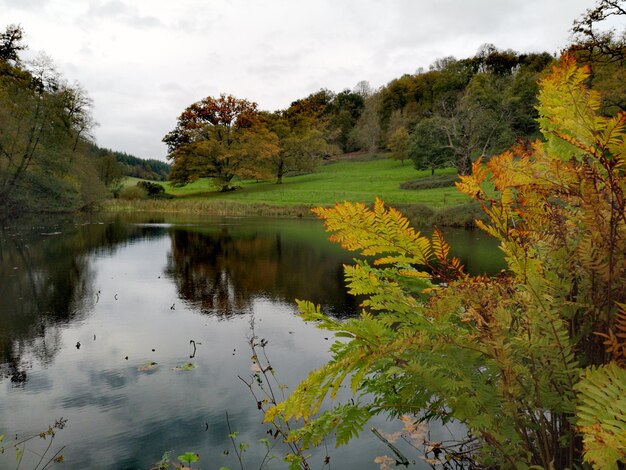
(144, 61)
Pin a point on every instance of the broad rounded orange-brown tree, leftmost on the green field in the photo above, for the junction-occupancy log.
(219, 138)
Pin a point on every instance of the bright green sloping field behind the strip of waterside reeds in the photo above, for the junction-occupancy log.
(340, 181)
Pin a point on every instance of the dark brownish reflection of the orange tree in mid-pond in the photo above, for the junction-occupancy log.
(222, 271)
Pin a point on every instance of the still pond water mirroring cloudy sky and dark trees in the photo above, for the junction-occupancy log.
(86, 304)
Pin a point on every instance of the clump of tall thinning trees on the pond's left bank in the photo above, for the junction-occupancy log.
(44, 123)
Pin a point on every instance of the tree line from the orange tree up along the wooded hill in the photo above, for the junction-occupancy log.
(446, 116)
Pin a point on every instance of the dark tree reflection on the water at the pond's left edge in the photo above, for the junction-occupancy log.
(47, 282)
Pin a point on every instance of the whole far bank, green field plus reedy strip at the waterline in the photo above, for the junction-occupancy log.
(355, 181)
